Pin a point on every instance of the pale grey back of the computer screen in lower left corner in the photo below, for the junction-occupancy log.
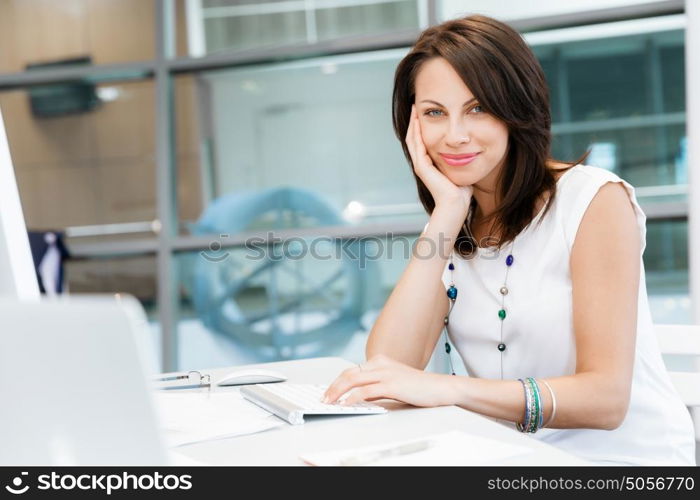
(74, 386)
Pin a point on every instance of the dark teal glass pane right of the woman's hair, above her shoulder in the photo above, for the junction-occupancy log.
(624, 97)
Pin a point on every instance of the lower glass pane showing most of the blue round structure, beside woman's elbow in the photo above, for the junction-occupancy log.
(301, 297)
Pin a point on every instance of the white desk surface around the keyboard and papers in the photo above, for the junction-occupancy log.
(283, 445)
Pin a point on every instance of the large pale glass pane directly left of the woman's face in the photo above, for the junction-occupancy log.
(318, 132)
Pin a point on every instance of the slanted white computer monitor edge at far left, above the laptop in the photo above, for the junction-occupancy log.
(17, 274)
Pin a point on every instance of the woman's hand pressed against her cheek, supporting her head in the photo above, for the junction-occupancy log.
(444, 191)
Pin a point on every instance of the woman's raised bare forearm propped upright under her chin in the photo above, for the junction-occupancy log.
(407, 326)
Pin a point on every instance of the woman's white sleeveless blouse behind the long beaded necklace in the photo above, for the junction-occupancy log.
(538, 330)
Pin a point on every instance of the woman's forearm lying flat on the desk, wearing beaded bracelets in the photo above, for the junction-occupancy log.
(584, 400)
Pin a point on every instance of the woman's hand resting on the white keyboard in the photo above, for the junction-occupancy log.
(382, 377)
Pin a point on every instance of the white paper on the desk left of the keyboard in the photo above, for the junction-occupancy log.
(200, 416)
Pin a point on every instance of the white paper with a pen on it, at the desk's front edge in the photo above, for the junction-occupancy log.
(449, 448)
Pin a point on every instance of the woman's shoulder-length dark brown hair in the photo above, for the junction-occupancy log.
(504, 75)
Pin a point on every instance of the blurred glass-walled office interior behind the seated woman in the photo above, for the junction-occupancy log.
(155, 137)
